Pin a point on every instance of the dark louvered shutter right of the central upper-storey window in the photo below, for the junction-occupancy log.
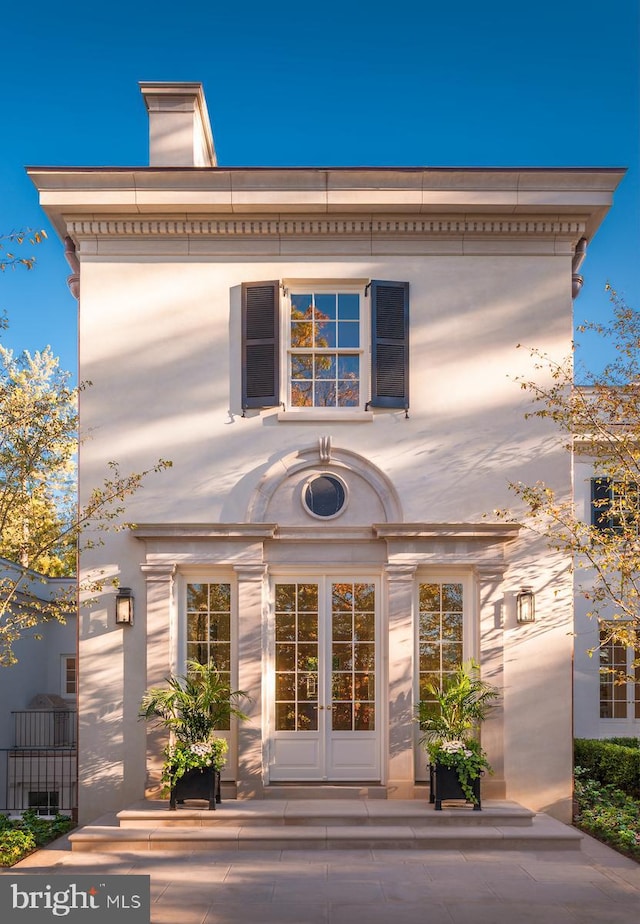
(389, 344)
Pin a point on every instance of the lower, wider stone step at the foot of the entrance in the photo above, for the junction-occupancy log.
(543, 834)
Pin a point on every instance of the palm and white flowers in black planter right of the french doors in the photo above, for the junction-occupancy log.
(450, 721)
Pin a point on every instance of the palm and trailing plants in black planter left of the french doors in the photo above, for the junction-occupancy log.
(192, 708)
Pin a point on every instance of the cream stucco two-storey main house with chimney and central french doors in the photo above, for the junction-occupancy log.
(328, 357)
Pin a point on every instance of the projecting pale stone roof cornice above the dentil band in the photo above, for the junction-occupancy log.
(184, 193)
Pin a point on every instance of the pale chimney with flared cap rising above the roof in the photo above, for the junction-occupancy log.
(179, 128)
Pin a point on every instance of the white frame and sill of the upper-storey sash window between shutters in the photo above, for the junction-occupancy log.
(349, 286)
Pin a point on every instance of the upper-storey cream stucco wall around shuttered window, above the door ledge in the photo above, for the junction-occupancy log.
(160, 343)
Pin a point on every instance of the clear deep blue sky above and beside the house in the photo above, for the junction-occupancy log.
(344, 83)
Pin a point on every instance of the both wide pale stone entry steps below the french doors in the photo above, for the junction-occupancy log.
(307, 824)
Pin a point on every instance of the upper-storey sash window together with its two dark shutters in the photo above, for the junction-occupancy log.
(319, 338)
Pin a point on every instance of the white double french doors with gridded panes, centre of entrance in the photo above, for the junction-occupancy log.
(325, 717)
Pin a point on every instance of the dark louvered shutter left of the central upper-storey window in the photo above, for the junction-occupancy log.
(260, 345)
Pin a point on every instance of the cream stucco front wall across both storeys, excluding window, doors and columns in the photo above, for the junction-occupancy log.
(160, 343)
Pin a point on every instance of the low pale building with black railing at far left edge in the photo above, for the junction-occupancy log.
(38, 718)
